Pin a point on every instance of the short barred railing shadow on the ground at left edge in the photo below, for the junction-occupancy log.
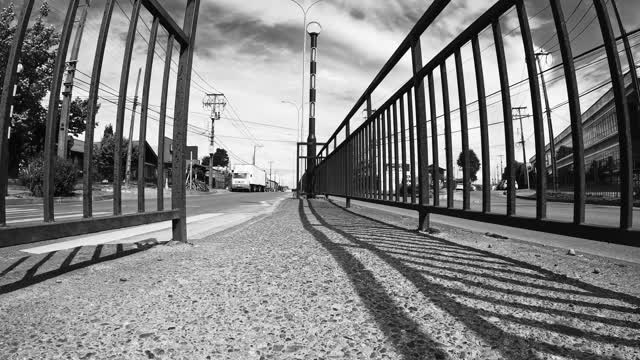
(33, 269)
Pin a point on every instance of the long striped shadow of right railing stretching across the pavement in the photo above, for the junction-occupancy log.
(516, 307)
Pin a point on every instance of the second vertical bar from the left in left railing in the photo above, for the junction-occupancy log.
(52, 113)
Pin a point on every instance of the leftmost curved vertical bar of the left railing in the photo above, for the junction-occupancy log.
(6, 101)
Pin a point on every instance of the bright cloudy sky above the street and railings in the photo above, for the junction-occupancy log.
(252, 52)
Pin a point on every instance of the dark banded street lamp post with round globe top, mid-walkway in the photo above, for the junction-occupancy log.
(313, 29)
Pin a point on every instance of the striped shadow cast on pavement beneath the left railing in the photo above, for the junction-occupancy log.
(31, 275)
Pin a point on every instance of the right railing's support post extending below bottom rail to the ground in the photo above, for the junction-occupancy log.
(421, 123)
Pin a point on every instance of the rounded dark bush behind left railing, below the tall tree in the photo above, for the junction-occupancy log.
(65, 177)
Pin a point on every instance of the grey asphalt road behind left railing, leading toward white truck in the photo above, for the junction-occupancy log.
(196, 204)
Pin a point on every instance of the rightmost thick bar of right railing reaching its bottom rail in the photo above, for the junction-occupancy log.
(624, 126)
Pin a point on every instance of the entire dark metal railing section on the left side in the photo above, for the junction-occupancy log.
(184, 37)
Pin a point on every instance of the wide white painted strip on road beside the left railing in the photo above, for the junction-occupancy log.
(113, 236)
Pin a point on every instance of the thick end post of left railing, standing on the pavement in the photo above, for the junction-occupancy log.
(181, 118)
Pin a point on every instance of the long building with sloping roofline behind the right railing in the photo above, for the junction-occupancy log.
(601, 148)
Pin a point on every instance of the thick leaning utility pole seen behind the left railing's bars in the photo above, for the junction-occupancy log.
(63, 127)
